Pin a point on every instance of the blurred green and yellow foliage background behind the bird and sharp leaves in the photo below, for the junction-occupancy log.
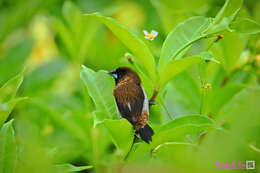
(50, 39)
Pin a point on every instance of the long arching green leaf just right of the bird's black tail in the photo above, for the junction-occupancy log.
(177, 130)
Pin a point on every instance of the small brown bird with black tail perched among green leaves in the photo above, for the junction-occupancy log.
(131, 101)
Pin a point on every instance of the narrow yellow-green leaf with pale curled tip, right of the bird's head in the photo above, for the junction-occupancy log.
(175, 67)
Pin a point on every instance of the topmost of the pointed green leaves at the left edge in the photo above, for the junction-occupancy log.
(10, 88)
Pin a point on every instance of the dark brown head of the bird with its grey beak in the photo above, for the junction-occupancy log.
(125, 73)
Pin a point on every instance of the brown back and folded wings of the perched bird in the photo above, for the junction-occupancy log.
(129, 99)
